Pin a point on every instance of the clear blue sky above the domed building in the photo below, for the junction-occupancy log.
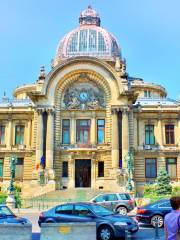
(148, 32)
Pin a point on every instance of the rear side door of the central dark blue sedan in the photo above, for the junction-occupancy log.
(64, 213)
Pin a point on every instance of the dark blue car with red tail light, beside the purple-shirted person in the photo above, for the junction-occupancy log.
(154, 212)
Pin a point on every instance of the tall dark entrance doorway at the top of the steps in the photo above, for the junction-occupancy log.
(83, 173)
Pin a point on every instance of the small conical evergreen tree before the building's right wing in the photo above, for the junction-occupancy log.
(163, 183)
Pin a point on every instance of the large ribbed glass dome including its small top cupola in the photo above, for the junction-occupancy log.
(89, 39)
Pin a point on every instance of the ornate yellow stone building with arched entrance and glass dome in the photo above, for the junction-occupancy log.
(84, 117)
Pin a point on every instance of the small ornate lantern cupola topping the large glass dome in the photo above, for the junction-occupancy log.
(89, 17)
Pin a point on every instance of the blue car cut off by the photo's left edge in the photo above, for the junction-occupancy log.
(7, 216)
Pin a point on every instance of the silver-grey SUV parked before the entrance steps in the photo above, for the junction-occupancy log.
(117, 202)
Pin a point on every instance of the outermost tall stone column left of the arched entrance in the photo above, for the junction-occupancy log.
(39, 138)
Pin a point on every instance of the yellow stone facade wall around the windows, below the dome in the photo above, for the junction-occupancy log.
(118, 98)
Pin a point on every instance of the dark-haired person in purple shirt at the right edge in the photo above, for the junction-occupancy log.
(172, 220)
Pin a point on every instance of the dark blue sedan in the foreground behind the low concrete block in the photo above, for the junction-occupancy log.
(108, 224)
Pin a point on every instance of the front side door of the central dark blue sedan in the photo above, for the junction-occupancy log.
(83, 214)
